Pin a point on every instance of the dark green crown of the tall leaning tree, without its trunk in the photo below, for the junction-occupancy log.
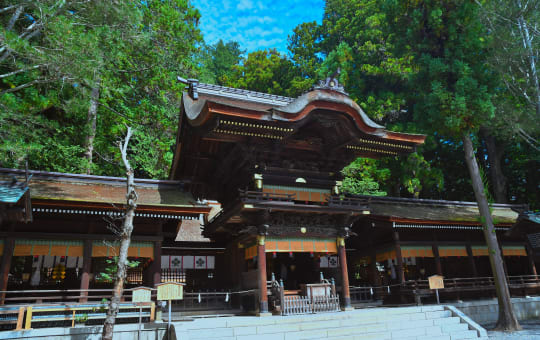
(452, 84)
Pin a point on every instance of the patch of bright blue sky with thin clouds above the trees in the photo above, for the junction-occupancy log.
(255, 24)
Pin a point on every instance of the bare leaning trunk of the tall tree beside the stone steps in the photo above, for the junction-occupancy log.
(507, 320)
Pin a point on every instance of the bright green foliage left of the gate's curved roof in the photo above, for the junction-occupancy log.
(132, 53)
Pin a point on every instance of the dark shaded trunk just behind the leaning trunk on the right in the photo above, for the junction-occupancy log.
(495, 154)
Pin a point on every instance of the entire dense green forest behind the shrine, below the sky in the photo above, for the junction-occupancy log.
(73, 74)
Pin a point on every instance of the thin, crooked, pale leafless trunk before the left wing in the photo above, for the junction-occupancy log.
(125, 238)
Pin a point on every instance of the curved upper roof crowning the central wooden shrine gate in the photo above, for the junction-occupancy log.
(211, 100)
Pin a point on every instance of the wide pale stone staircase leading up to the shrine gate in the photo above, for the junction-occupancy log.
(403, 323)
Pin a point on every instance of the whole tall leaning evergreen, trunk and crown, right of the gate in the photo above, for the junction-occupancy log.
(453, 92)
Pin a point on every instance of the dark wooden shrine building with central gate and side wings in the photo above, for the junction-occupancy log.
(254, 204)
